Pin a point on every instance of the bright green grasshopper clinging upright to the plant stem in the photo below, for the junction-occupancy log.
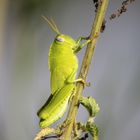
(63, 65)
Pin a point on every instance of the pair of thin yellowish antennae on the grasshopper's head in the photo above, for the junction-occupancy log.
(52, 24)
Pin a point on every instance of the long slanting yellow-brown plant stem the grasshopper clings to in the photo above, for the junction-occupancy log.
(97, 23)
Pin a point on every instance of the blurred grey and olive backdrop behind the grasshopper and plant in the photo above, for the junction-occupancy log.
(24, 76)
